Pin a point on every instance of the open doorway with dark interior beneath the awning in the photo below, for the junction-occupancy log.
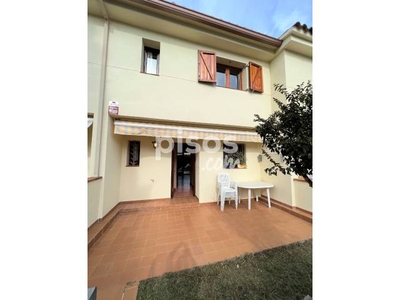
(183, 172)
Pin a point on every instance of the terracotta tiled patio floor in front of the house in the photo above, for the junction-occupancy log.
(152, 239)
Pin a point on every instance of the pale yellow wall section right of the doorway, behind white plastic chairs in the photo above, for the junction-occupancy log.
(210, 164)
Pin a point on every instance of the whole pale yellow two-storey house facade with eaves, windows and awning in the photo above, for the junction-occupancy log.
(169, 89)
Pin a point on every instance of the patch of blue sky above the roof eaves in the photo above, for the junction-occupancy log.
(271, 17)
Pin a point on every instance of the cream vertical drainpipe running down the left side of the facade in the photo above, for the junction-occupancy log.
(102, 86)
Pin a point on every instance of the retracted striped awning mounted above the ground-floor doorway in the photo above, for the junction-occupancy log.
(173, 131)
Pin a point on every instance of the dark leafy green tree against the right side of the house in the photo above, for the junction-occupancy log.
(288, 132)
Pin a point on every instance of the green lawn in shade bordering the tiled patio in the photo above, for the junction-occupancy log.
(280, 273)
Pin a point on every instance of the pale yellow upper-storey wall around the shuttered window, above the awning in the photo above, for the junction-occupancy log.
(176, 94)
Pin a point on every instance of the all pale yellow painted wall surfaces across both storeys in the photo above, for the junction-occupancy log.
(175, 94)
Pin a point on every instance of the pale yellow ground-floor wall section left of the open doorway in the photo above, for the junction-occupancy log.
(151, 179)
